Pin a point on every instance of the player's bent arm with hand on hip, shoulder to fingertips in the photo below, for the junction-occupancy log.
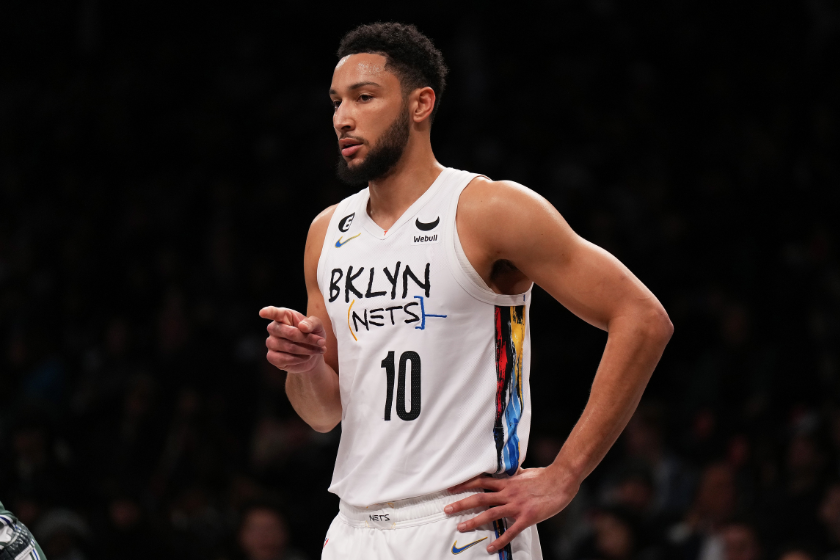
(505, 221)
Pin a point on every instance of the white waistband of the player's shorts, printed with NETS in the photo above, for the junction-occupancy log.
(401, 513)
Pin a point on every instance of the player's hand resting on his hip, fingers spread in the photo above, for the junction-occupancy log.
(528, 497)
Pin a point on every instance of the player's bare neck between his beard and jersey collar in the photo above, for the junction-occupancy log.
(391, 196)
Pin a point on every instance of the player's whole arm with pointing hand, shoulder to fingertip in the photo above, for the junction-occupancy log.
(305, 346)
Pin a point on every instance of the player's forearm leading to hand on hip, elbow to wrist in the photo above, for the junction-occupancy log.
(634, 347)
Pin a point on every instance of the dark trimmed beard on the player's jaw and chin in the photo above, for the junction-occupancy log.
(382, 158)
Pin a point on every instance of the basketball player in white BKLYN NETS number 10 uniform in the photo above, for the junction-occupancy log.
(416, 334)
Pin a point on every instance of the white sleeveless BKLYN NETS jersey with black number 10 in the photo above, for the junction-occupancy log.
(433, 365)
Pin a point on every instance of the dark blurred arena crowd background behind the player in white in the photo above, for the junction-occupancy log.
(160, 164)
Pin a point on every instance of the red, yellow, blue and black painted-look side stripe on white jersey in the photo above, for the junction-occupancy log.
(510, 339)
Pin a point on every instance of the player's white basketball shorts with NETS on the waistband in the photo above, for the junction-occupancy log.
(417, 529)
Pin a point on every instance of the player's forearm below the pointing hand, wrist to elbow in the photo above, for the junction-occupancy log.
(315, 396)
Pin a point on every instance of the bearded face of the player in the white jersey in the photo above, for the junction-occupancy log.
(370, 119)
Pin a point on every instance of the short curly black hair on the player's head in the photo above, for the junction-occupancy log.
(409, 54)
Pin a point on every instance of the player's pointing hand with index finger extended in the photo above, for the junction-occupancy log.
(296, 343)
